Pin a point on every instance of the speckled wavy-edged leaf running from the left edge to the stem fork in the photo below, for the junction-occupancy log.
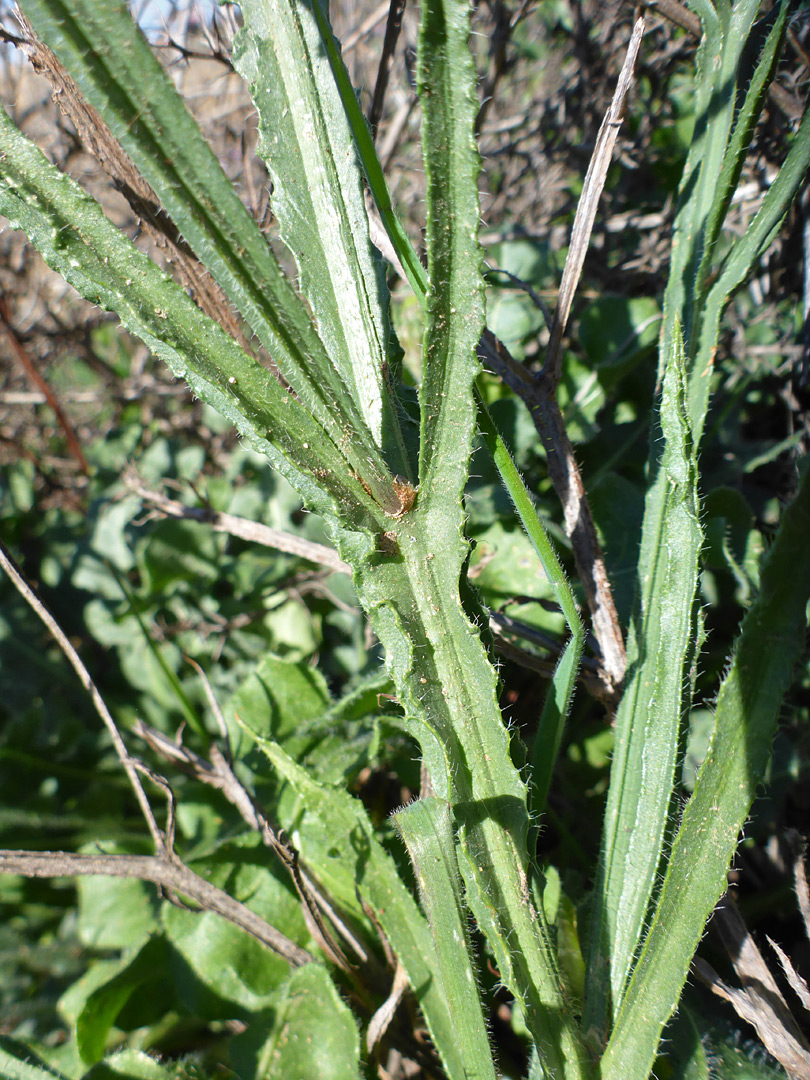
(78, 241)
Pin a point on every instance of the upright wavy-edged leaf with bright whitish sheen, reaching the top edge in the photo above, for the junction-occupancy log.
(318, 199)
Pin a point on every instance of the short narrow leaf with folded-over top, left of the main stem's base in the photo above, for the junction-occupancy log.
(427, 830)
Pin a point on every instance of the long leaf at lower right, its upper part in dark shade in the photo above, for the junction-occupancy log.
(771, 643)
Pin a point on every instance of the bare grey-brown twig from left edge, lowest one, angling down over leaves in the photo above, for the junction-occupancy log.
(170, 874)
